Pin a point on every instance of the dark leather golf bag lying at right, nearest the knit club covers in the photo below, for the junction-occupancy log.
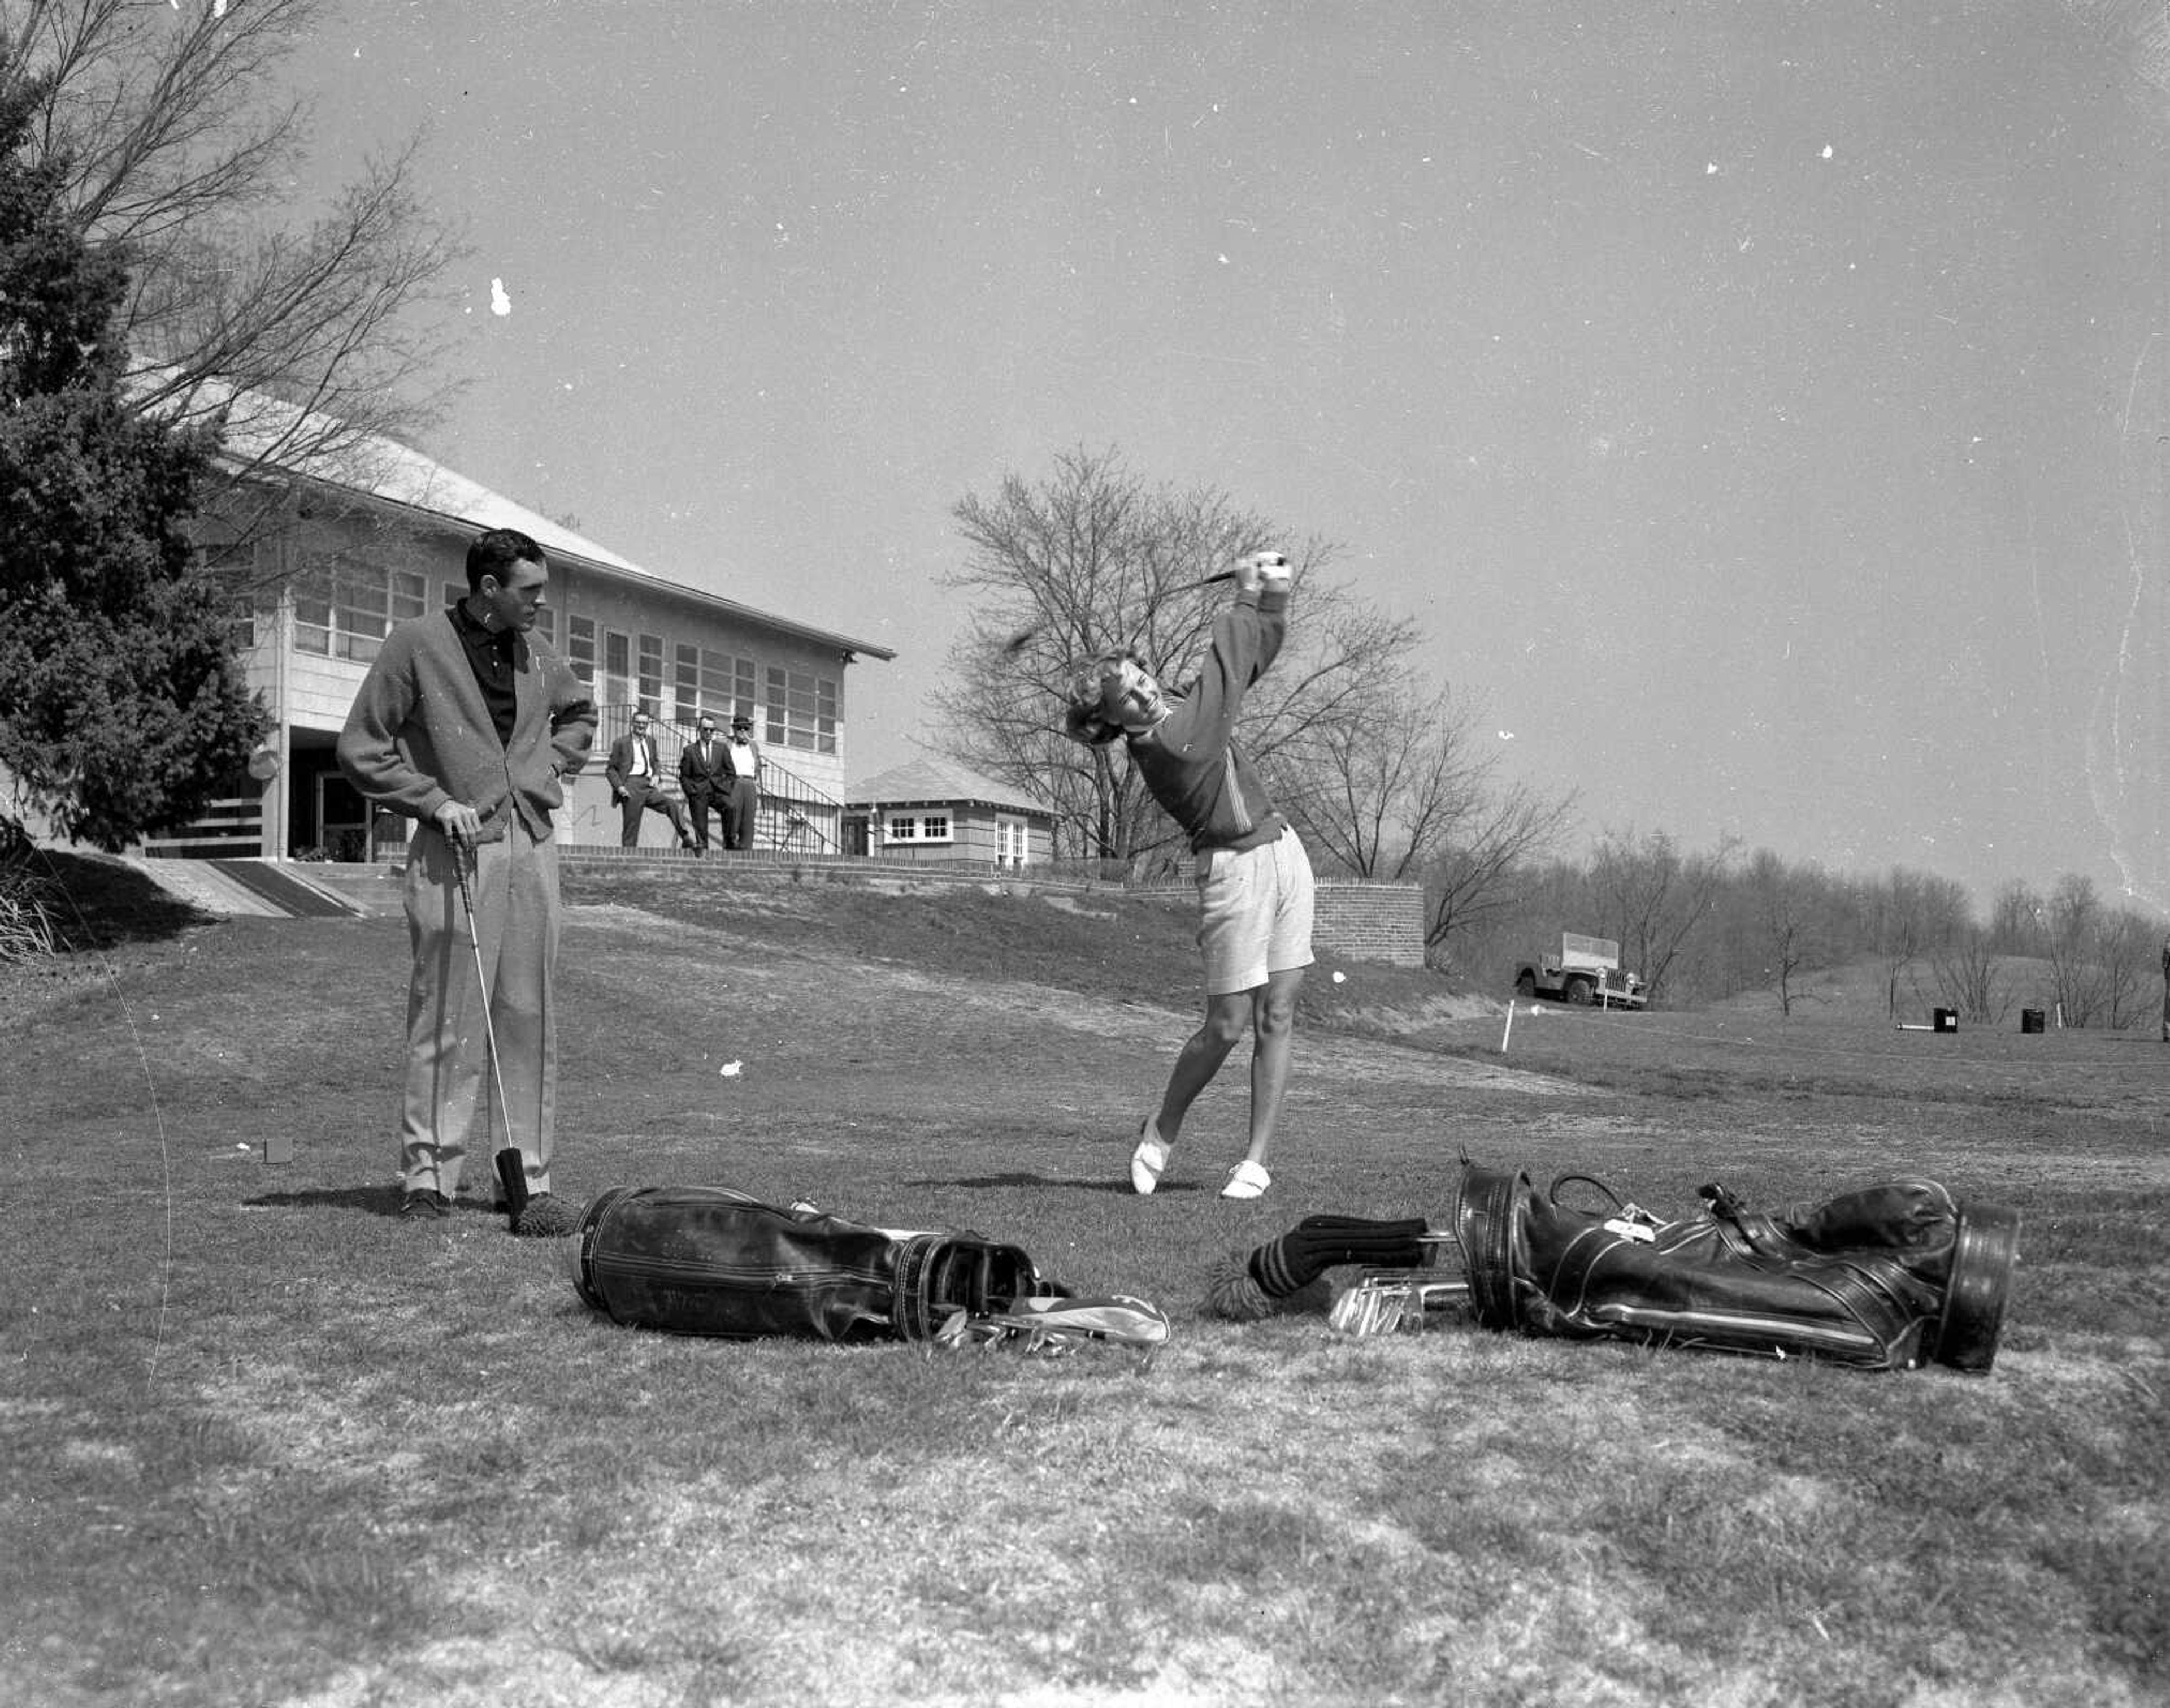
(1889, 1277)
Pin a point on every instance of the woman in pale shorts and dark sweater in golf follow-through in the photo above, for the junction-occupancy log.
(1253, 876)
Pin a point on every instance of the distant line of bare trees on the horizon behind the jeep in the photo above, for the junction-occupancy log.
(1705, 926)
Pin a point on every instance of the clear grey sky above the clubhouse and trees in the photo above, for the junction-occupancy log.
(1761, 407)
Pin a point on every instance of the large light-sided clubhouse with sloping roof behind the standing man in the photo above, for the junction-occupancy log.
(335, 550)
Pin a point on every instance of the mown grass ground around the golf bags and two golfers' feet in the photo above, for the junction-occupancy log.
(270, 1444)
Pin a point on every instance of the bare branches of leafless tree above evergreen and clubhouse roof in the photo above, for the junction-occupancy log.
(175, 144)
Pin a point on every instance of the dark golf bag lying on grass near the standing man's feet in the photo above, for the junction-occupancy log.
(717, 1262)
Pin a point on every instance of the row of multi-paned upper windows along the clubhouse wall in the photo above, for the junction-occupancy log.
(346, 613)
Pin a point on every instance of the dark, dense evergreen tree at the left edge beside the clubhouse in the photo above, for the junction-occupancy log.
(123, 709)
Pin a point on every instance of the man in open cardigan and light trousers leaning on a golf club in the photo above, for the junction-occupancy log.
(468, 726)
